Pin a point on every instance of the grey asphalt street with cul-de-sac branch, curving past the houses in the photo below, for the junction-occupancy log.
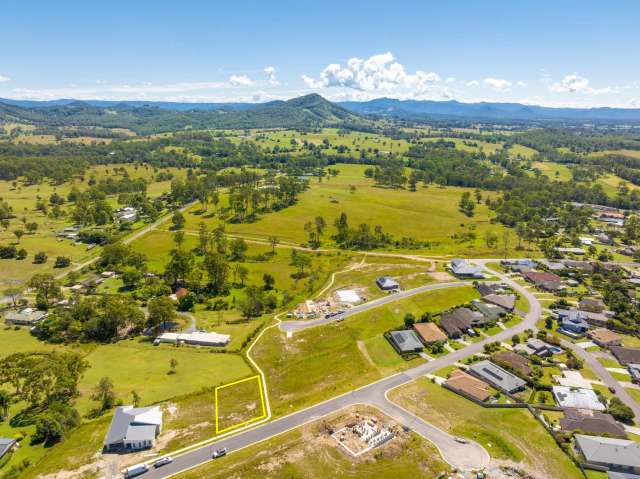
(465, 456)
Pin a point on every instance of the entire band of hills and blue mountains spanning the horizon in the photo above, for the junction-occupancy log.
(307, 111)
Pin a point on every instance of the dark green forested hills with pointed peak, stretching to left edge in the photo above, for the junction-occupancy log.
(306, 111)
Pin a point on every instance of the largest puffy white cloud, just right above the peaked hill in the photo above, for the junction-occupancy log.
(377, 75)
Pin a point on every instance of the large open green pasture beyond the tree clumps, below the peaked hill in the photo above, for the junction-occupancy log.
(429, 214)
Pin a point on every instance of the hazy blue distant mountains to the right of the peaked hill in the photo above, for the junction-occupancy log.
(424, 109)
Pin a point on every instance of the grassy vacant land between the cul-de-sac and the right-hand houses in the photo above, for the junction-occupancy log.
(507, 434)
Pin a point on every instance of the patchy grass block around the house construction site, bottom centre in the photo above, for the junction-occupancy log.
(308, 452)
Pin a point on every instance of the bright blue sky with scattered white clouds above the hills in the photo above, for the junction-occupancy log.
(554, 53)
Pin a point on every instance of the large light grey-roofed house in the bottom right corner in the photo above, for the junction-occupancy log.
(611, 453)
